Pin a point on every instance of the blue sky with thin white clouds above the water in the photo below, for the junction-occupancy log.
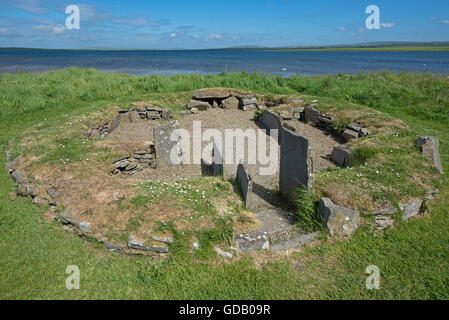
(199, 24)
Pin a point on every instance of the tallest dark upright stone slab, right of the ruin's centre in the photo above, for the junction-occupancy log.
(295, 163)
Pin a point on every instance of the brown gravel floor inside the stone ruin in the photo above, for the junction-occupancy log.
(221, 119)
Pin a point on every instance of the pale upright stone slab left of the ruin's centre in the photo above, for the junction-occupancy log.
(165, 148)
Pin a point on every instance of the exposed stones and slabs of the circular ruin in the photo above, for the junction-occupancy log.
(296, 170)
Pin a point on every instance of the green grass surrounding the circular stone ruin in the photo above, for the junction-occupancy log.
(413, 258)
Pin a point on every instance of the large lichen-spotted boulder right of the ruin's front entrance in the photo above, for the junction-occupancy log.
(339, 221)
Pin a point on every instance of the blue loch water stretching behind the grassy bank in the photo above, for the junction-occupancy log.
(142, 62)
